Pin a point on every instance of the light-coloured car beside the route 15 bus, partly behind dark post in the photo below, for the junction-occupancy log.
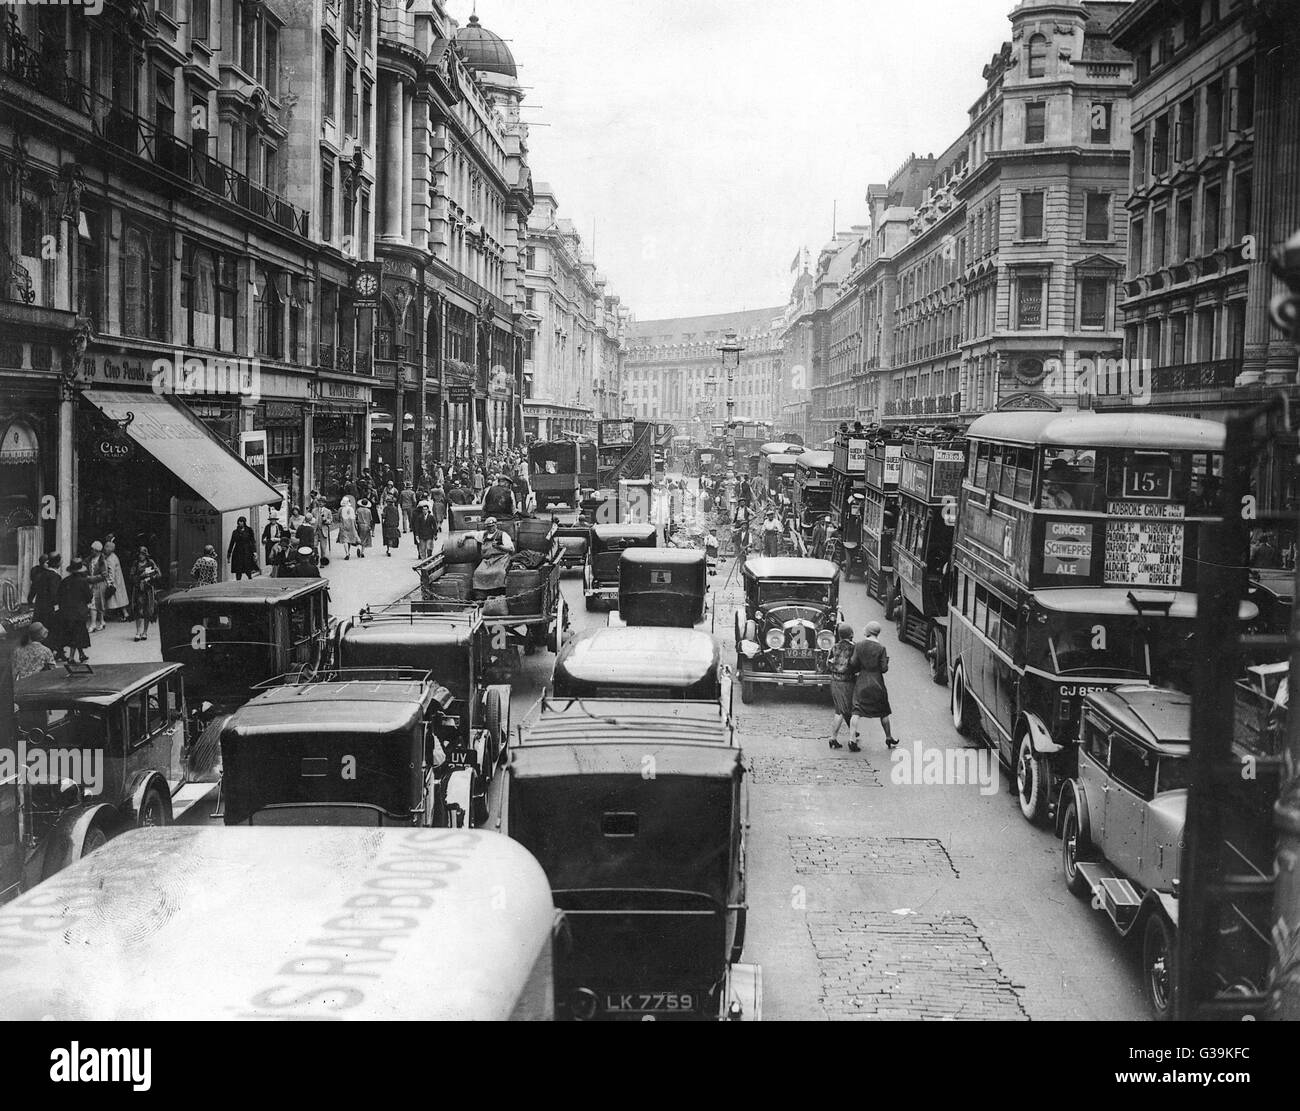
(1121, 821)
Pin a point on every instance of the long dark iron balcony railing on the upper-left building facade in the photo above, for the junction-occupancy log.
(49, 72)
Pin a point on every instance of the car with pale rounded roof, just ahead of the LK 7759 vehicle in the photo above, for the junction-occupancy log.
(642, 663)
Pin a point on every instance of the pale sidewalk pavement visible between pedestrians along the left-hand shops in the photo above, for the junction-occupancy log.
(353, 584)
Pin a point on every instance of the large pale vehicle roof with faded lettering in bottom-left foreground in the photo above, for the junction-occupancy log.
(219, 925)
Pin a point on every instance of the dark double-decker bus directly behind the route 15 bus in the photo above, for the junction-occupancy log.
(930, 483)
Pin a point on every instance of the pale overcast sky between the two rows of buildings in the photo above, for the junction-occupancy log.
(701, 144)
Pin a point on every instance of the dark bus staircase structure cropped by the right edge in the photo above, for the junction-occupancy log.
(1233, 936)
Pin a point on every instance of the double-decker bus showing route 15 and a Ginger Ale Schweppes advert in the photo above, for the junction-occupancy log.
(1076, 567)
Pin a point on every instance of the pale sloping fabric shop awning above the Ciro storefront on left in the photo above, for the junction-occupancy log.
(185, 446)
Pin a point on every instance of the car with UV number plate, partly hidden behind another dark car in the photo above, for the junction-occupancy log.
(454, 644)
